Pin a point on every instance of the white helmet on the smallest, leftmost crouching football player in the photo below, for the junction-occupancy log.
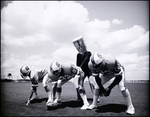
(25, 71)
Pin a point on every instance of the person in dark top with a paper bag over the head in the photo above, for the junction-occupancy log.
(83, 58)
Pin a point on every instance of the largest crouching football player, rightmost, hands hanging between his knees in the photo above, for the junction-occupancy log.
(108, 67)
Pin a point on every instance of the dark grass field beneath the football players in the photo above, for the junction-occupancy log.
(14, 95)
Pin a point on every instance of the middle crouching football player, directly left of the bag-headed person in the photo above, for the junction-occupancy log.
(62, 73)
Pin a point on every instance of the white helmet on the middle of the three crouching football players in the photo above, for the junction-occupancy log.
(55, 68)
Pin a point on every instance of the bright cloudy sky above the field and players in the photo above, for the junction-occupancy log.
(39, 32)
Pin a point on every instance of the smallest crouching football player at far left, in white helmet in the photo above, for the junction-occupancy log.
(35, 76)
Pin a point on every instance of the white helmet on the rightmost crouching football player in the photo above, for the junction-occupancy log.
(96, 59)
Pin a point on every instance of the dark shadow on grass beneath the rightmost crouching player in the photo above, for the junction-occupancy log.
(117, 108)
